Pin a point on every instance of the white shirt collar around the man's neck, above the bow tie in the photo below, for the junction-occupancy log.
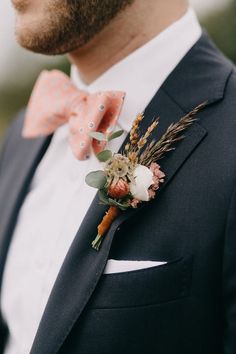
(142, 73)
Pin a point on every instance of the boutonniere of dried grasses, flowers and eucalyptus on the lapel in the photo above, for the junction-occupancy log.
(133, 176)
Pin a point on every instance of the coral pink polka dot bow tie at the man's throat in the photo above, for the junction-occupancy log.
(56, 101)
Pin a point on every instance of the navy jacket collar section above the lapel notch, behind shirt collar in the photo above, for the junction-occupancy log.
(201, 76)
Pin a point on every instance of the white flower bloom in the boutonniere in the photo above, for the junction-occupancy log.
(143, 180)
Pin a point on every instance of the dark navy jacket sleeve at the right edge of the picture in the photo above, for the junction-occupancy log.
(229, 280)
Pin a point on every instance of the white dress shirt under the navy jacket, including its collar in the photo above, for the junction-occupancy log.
(59, 198)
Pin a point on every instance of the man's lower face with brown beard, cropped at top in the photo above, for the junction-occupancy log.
(61, 26)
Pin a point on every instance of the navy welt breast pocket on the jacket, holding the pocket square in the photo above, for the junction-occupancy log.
(143, 287)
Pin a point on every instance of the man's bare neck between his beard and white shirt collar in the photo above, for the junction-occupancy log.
(131, 29)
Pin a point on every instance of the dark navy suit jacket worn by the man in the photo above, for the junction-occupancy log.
(185, 306)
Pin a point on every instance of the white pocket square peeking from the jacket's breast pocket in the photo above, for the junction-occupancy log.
(115, 266)
